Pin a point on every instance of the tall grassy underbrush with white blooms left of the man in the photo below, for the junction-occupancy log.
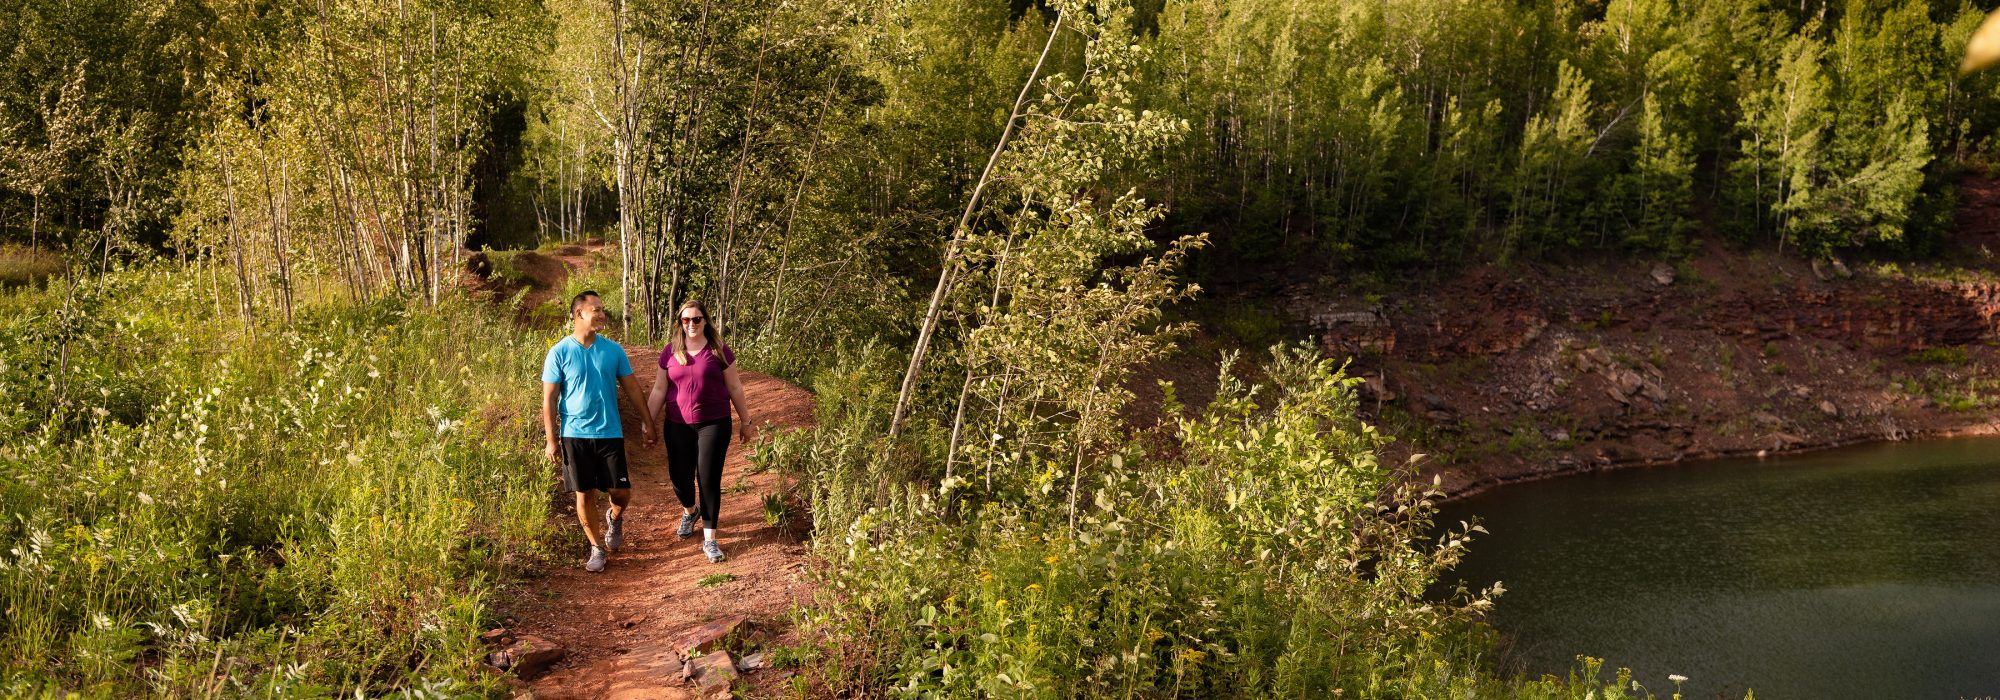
(197, 509)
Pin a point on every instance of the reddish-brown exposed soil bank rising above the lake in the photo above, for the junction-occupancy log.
(1507, 375)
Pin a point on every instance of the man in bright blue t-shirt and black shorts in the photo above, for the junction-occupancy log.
(583, 377)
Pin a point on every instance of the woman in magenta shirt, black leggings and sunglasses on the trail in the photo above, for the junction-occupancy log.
(695, 389)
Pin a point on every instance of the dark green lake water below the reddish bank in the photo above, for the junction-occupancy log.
(1861, 573)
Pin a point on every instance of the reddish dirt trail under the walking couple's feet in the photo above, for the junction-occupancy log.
(621, 625)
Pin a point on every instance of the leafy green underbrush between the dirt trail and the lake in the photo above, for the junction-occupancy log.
(1271, 553)
